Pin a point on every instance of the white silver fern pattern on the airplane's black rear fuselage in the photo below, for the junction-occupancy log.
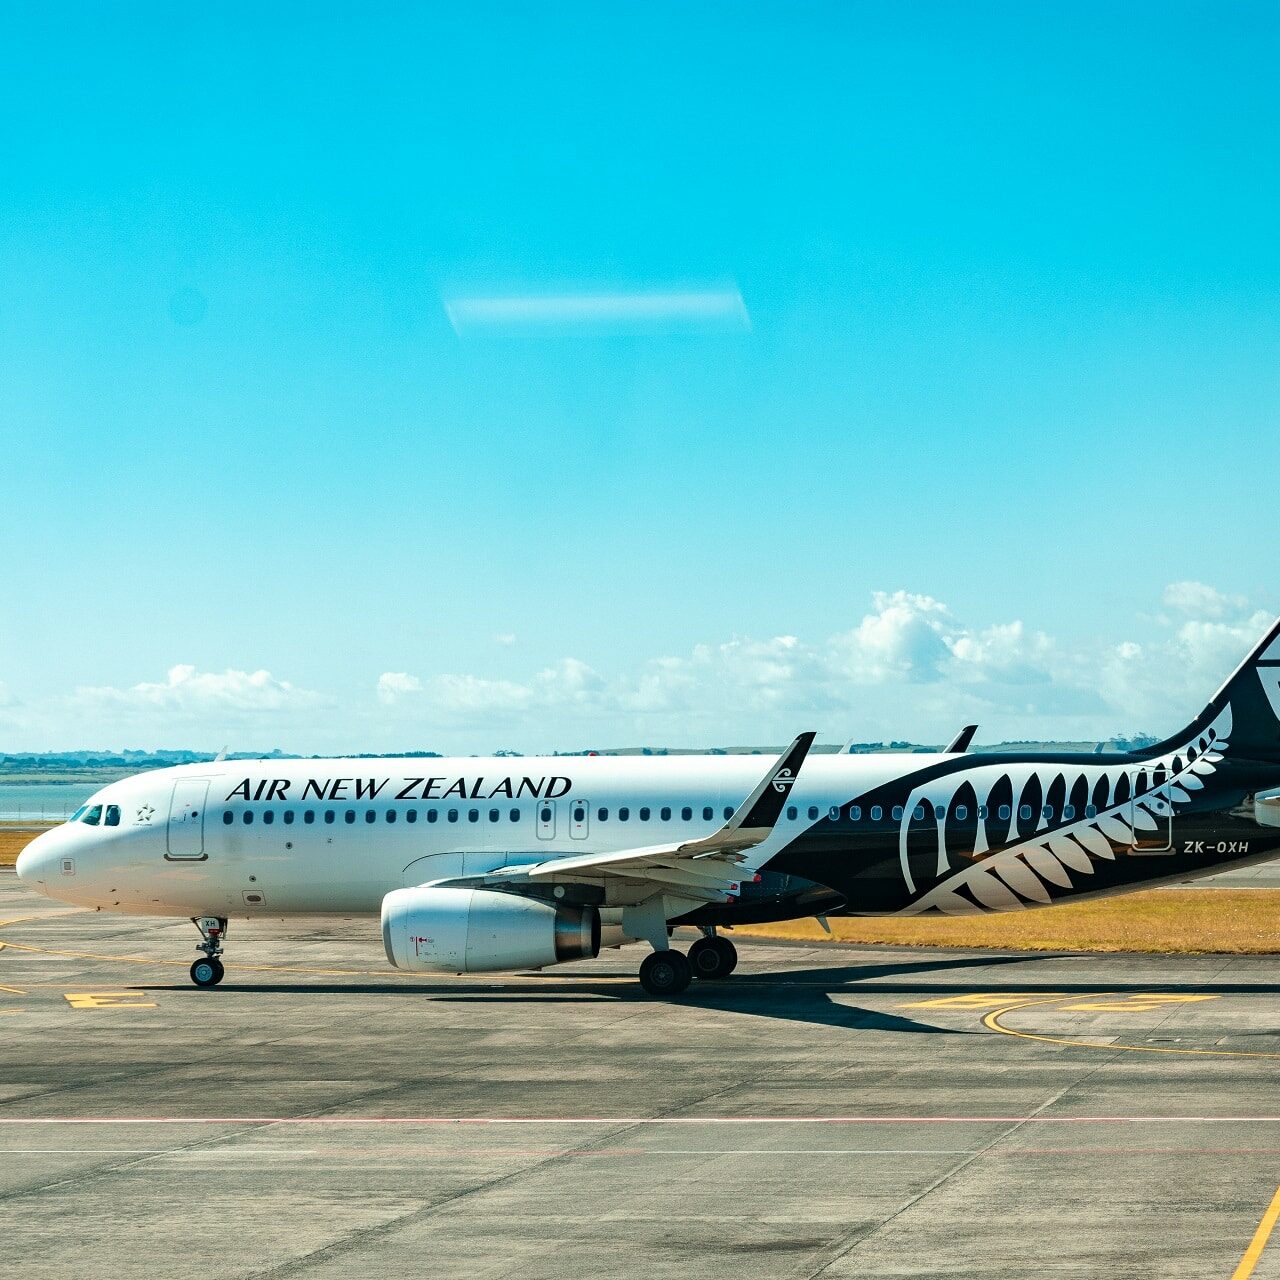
(1016, 870)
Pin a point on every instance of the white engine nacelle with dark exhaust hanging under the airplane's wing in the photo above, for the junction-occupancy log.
(479, 930)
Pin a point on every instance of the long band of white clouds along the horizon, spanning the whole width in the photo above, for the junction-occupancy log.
(908, 669)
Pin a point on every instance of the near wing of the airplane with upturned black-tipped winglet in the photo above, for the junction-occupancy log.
(705, 870)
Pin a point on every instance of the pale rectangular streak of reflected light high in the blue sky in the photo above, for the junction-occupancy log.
(720, 308)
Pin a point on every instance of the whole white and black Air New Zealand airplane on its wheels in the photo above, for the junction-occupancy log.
(515, 863)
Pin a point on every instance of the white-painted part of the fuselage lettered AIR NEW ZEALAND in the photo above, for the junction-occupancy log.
(282, 838)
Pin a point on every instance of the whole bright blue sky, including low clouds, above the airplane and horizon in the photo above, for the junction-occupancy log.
(1003, 336)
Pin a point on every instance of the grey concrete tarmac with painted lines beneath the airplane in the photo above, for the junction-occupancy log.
(829, 1112)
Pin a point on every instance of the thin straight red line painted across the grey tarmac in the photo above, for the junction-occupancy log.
(625, 1121)
